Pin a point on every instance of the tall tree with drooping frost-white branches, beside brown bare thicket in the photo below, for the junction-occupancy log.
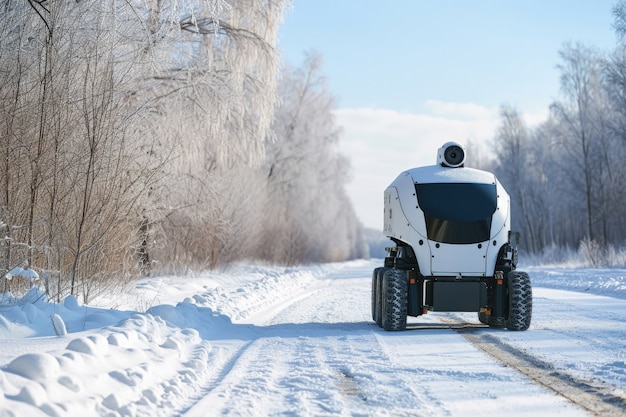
(214, 102)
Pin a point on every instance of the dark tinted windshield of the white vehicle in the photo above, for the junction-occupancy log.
(457, 213)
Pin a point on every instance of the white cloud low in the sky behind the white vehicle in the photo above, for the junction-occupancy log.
(381, 143)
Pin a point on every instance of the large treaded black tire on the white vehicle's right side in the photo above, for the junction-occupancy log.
(520, 301)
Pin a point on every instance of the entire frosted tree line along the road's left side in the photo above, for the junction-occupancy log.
(140, 136)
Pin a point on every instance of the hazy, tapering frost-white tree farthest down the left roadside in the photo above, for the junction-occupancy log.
(310, 216)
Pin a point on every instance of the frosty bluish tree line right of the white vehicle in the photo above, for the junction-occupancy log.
(567, 176)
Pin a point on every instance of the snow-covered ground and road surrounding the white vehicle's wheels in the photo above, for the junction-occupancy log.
(299, 342)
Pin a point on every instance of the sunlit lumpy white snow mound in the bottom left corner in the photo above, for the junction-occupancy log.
(142, 360)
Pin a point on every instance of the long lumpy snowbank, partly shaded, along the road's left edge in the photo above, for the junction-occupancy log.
(116, 362)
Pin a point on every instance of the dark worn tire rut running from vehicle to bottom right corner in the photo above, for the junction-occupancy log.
(597, 400)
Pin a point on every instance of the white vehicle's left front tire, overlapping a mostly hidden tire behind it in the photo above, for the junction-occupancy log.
(394, 300)
